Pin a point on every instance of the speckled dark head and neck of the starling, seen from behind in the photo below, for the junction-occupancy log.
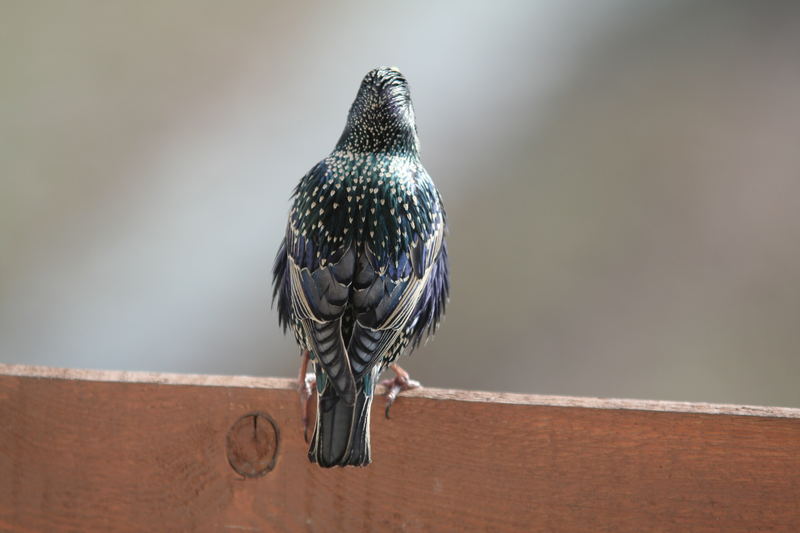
(381, 118)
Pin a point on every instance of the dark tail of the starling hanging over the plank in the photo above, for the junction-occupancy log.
(341, 435)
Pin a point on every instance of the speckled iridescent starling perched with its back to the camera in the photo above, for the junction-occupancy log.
(361, 275)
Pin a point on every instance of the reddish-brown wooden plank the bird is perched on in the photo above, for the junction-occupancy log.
(118, 451)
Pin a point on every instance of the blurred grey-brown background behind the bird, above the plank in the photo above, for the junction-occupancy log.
(622, 181)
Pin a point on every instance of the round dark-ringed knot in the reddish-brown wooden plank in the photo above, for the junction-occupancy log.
(252, 444)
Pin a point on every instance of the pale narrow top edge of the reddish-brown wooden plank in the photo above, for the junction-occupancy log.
(124, 376)
